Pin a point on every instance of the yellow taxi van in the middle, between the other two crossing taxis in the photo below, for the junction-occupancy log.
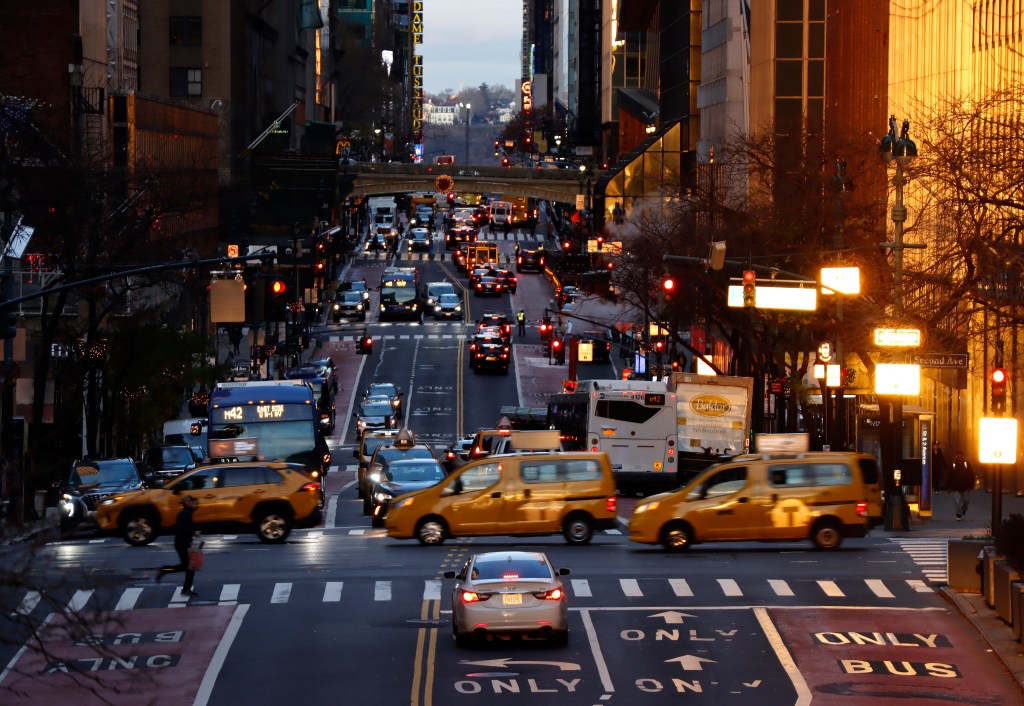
(520, 495)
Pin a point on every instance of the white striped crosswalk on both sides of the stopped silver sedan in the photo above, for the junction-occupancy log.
(656, 591)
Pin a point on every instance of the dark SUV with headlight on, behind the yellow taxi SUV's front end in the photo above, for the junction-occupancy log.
(92, 482)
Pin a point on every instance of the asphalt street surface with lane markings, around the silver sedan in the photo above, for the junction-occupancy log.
(343, 614)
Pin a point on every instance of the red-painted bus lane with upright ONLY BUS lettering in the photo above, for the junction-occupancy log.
(864, 657)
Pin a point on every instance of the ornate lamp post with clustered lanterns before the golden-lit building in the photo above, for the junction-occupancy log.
(903, 152)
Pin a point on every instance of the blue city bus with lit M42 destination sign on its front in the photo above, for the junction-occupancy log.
(267, 421)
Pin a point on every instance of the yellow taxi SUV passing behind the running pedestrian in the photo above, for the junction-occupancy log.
(269, 499)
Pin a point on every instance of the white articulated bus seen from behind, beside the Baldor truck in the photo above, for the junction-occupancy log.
(633, 422)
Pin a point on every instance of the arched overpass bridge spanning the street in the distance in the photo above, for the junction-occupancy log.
(395, 178)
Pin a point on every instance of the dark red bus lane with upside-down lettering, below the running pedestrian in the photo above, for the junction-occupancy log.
(111, 659)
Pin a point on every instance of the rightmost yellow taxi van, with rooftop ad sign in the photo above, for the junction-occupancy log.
(782, 493)
